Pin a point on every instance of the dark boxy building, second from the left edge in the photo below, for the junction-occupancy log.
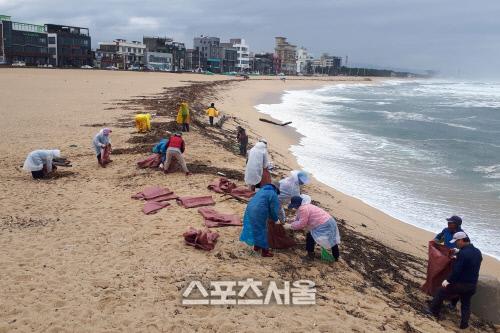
(69, 46)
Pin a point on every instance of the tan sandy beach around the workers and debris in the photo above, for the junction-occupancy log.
(78, 254)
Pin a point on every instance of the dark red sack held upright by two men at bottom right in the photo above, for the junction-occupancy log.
(438, 267)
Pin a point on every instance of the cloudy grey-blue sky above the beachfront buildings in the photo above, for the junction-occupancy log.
(446, 35)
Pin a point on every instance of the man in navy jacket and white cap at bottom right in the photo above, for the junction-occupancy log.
(462, 280)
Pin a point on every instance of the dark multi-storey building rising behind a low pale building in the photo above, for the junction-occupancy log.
(168, 46)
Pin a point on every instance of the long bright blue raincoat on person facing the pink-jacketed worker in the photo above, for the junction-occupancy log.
(263, 206)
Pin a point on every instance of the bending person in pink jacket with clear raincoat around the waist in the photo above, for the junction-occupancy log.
(321, 227)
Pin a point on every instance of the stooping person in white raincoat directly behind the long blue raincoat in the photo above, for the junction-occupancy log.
(258, 166)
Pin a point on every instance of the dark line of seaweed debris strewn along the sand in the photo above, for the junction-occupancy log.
(381, 266)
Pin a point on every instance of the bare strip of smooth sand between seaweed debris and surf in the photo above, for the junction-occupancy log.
(398, 234)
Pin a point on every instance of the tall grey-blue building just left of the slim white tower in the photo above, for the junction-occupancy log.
(209, 53)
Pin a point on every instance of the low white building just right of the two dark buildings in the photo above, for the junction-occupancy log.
(120, 54)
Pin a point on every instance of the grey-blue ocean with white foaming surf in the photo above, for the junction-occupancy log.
(419, 150)
